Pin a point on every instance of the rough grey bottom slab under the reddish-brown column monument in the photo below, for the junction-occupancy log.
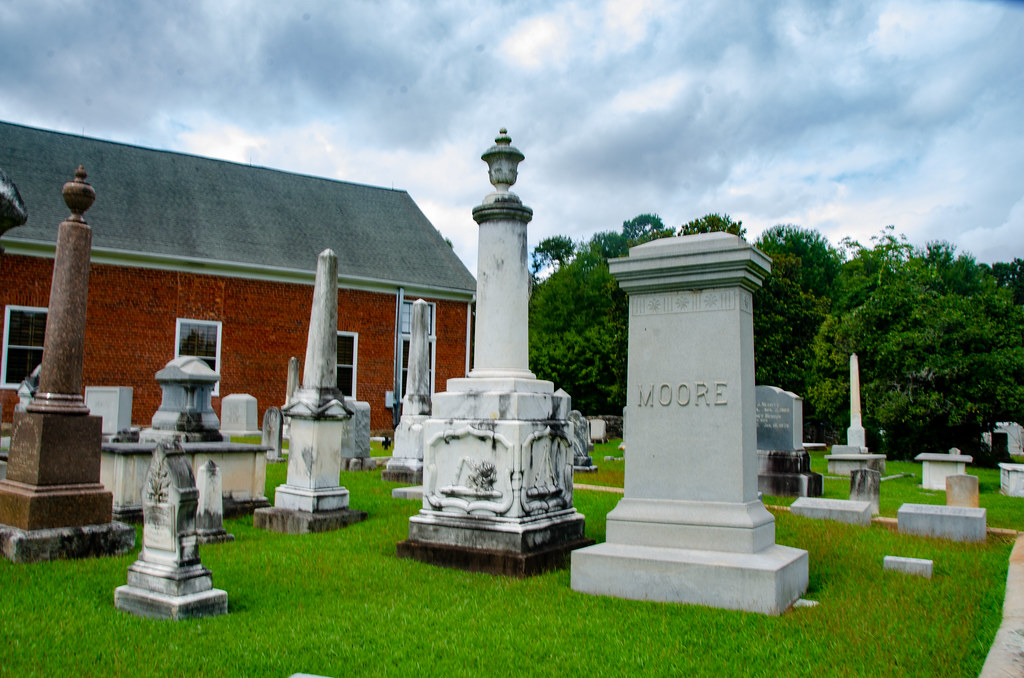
(62, 543)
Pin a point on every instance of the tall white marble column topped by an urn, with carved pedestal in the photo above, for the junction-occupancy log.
(497, 459)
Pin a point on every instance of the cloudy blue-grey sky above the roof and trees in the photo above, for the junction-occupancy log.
(843, 116)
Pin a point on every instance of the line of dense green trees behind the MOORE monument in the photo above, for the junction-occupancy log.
(940, 337)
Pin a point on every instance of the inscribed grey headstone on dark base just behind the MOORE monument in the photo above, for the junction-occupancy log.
(784, 465)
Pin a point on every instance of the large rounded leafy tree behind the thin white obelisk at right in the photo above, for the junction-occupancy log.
(941, 347)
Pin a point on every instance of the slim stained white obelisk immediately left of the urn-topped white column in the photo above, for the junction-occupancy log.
(406, 464)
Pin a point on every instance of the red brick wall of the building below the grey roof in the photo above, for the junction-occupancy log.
(132, 323)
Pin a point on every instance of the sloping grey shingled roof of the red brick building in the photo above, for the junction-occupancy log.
(173, 204)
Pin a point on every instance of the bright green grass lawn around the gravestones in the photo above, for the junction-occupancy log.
(342, 605)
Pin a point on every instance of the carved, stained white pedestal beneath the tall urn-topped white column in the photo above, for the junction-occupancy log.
(498, 480)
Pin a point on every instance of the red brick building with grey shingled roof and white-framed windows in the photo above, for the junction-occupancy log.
(193, 257)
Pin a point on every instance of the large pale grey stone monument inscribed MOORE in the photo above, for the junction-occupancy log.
(691, 527)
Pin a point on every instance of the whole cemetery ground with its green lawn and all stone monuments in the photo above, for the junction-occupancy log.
(712, 542)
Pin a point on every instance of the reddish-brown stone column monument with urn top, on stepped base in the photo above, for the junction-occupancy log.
(52, 503)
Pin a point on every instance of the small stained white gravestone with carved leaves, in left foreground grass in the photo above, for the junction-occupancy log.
(168, 581)
